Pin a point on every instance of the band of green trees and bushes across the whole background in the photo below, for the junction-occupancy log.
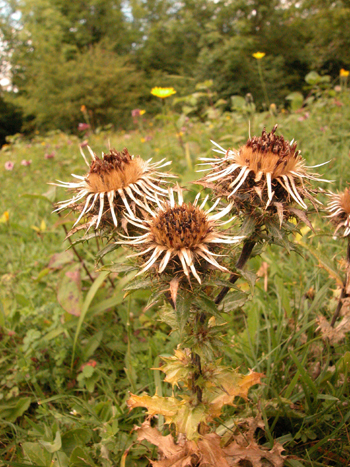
(107, 54)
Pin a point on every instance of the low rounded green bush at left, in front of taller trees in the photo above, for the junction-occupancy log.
(98, 78)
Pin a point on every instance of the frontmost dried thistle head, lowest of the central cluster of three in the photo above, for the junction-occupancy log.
(181, 232)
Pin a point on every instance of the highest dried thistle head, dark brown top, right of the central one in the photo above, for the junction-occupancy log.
(266, 168)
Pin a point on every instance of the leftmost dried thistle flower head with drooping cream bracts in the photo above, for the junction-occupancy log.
(113, 184)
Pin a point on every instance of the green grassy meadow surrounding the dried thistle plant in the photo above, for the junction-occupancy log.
(54, 407)
